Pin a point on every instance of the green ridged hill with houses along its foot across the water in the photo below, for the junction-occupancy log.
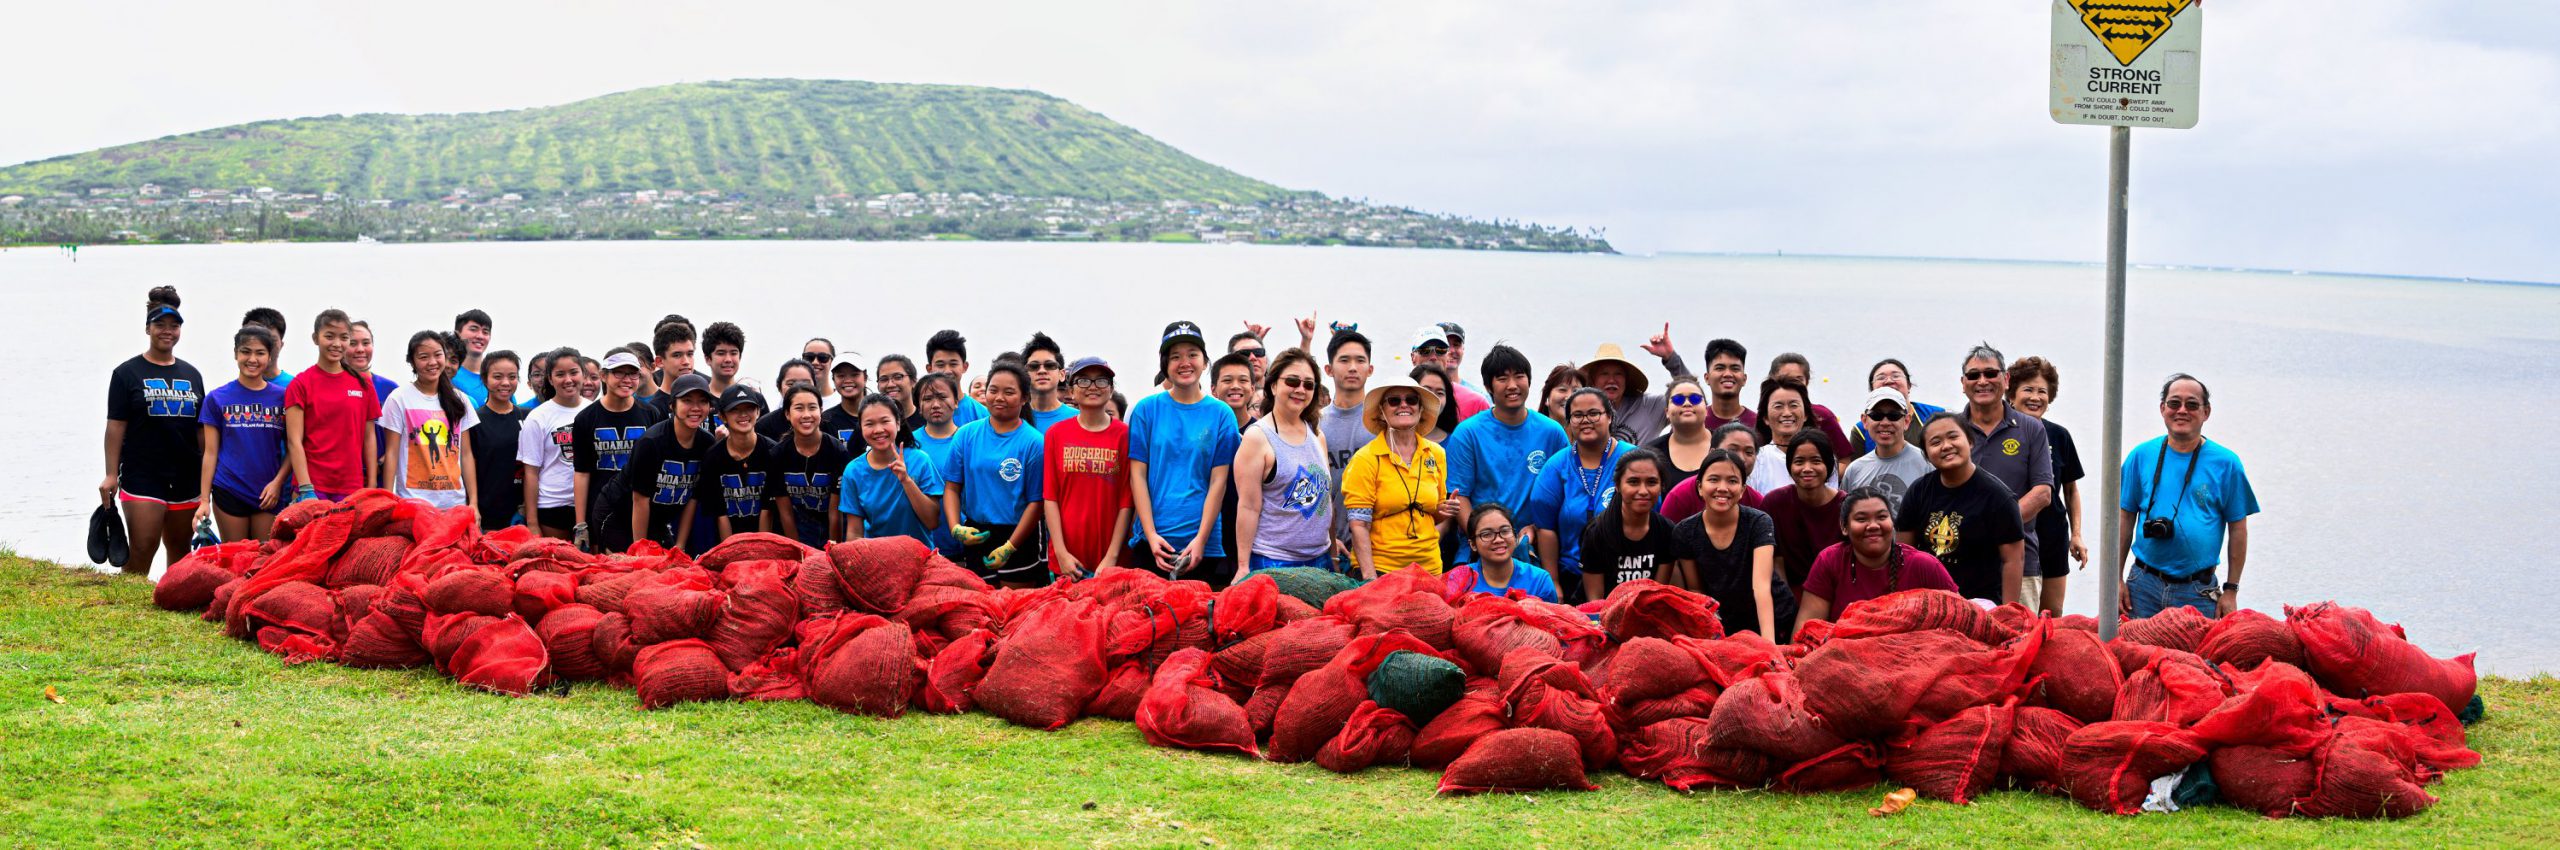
(708, 160)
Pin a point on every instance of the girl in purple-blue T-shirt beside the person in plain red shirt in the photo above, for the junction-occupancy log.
(244, 444)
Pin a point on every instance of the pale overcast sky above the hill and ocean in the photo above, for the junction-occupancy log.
(2395, 137)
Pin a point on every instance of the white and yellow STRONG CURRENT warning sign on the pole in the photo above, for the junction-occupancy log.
(2126, 63)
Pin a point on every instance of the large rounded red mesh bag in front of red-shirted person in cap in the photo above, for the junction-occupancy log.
(1048, 667)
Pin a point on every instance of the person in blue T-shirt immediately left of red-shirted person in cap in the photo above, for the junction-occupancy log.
(992, 485)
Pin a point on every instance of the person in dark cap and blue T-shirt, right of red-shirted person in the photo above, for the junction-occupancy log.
(1181, 447)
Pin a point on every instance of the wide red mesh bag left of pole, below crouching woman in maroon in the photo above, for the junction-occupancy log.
(1870, 687)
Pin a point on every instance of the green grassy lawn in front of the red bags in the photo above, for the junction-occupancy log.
(178, 736)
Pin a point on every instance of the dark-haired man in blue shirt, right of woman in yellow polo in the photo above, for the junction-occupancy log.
(1494, 460)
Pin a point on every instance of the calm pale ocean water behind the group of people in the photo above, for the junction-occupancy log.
(2392, 426)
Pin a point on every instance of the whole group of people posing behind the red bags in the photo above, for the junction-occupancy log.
(1327, 454)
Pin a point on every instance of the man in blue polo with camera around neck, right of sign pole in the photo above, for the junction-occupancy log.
(2180, 501)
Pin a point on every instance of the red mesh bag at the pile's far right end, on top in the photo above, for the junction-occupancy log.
(2359, 657)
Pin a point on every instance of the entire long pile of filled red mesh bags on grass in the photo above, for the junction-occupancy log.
(2326, 713)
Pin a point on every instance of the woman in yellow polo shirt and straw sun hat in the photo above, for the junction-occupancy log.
(1396, 490)
